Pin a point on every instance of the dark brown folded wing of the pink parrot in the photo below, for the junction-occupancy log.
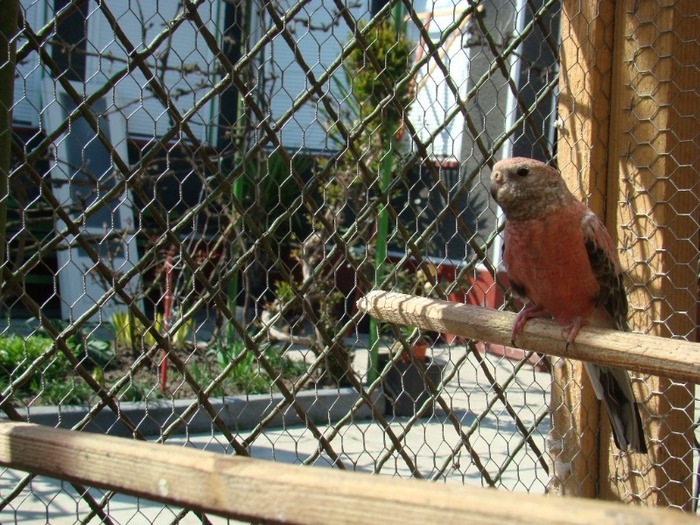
(606, 268)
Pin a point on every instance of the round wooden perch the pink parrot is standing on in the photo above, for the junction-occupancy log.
(672, 358)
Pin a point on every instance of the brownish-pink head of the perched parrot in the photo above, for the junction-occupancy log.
(526, 188)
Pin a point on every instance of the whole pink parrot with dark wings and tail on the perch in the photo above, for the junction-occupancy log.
(561, 260)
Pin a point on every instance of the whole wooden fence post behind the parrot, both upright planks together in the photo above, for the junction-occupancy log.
(629, 144)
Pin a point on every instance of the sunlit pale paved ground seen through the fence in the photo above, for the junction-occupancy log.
(363, 446)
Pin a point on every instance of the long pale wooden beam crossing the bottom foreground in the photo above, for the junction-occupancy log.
(249, 489)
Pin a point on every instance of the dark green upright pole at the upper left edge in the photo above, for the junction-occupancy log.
(8, 32)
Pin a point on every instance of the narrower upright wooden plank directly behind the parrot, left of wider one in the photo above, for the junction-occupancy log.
(585, 85)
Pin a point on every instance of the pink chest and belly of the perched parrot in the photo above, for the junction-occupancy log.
(549, 259)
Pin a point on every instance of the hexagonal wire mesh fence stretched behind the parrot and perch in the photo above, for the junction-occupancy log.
(200, 191)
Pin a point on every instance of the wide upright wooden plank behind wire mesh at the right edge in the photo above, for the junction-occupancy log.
(654, 150)
